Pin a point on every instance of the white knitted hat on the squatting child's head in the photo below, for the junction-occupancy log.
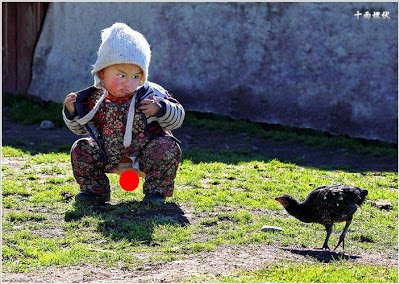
(121, 44)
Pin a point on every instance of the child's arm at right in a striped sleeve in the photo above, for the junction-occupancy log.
(170, 114)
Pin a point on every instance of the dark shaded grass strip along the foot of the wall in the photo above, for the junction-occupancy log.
(30, 110)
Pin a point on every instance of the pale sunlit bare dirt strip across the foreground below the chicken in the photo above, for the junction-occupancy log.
(224, 260)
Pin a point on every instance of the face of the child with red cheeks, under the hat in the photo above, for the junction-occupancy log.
(121, 79)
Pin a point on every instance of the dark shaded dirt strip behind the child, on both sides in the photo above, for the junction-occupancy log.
(191, 137)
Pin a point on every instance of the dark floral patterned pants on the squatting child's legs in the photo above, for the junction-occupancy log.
(159, 160)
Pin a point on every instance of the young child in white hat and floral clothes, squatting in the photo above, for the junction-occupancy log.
(126, 116)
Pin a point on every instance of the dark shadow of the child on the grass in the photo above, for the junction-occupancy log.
(132, 220)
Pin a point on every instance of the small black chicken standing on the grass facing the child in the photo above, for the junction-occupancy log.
(326, 205)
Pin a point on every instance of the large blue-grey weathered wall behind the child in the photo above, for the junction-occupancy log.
(308, 65)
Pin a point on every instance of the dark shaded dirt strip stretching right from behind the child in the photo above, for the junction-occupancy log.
(301, 154)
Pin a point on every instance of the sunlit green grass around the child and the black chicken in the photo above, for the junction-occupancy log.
(221, 198)
